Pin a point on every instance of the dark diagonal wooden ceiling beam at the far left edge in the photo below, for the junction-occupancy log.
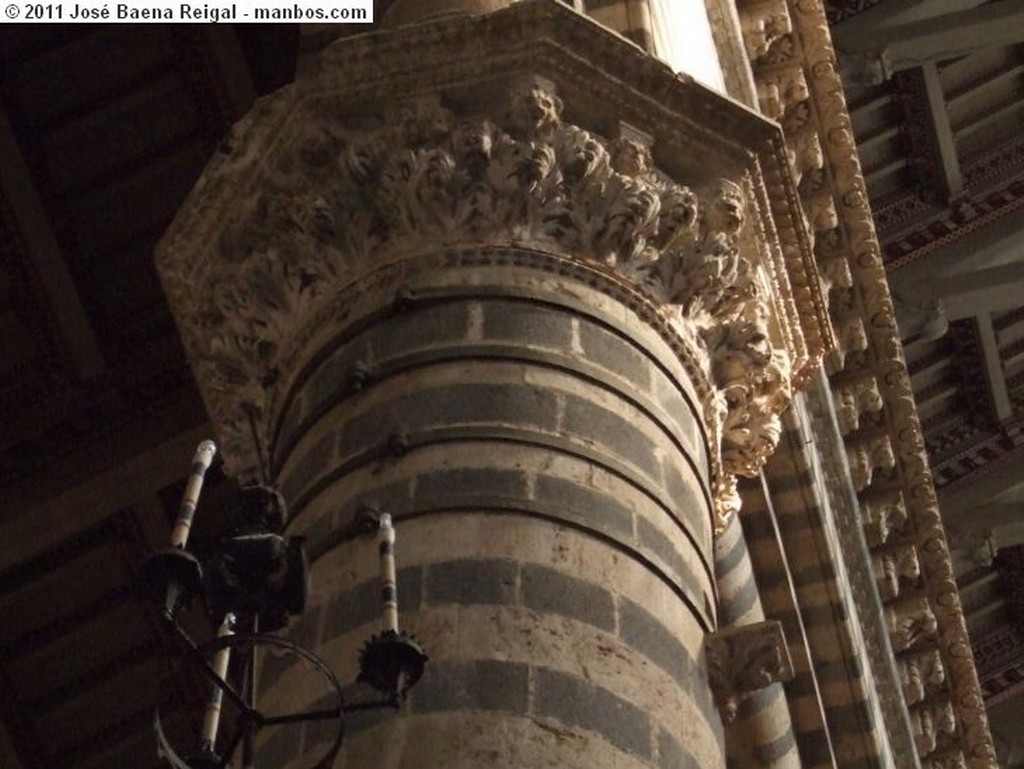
(65, 305)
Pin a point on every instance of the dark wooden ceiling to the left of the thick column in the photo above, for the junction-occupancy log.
(103, 133)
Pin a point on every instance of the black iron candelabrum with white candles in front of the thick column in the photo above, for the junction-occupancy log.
(251, 583)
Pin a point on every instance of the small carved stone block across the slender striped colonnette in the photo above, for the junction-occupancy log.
(744, 659)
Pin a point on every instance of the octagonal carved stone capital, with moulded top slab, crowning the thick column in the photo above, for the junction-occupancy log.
(532, 126)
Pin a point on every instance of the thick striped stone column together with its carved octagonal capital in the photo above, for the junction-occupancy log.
(456, 286)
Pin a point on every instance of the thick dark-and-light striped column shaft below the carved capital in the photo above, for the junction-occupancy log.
(538, 444)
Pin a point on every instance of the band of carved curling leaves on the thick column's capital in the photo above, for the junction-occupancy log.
(353, 193)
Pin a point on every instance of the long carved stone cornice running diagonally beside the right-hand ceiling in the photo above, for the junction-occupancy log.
(798, 81)
